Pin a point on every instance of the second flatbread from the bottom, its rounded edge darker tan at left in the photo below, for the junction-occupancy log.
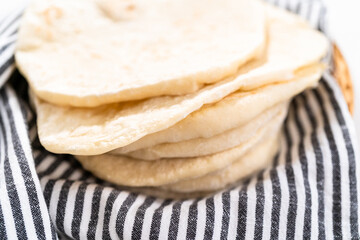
(127, 171)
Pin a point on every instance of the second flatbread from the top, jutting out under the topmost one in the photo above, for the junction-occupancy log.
(84, 131)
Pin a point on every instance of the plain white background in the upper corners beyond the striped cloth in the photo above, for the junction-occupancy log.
(344, 26)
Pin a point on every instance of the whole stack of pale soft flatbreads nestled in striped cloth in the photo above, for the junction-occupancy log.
(178, 95)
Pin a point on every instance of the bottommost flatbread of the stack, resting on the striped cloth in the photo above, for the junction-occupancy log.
(256, 159)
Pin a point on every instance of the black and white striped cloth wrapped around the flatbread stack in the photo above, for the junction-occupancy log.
(310, 192)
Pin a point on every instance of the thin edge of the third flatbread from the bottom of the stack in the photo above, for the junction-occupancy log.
(218, 143)
